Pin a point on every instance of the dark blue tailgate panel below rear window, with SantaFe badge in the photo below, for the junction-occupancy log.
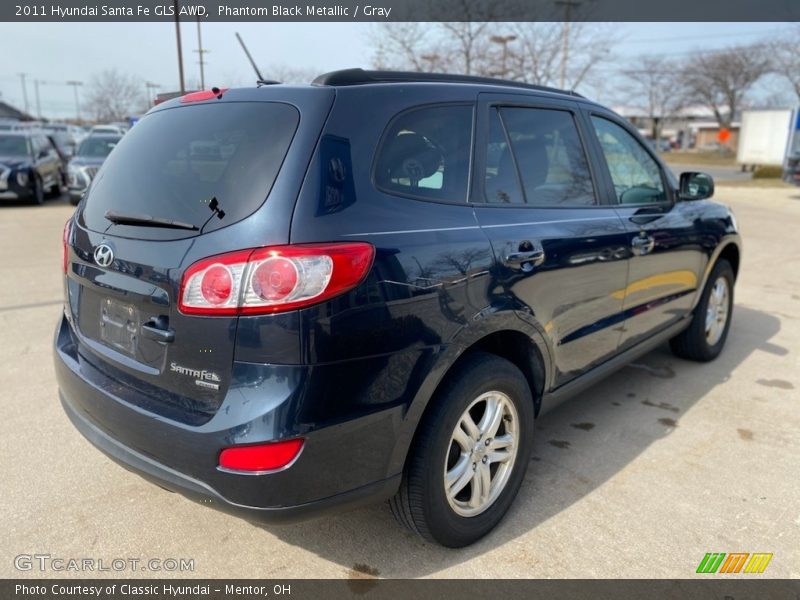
(126, 318)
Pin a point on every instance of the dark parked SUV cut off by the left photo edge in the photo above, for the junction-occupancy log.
(30, 166)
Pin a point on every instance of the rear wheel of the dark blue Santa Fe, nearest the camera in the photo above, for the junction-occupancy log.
(422, 503)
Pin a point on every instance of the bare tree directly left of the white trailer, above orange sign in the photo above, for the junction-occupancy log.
(721, 80)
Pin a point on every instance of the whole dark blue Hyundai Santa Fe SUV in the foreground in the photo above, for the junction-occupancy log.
(290, 299)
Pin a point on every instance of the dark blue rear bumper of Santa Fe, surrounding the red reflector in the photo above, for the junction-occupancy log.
(343, 464)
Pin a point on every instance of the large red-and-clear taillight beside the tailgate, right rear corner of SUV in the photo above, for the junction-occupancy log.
(275, 279)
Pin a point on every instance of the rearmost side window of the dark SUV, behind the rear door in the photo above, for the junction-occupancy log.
(425, 153)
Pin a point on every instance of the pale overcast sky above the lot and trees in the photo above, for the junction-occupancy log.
(58, 52)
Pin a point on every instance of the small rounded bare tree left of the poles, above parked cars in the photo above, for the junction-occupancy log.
(113, 96)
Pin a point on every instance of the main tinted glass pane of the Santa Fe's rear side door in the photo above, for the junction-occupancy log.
(550, 157)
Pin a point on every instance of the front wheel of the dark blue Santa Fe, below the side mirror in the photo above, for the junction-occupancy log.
(705, 337)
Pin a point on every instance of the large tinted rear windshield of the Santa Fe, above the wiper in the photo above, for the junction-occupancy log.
(175, 161)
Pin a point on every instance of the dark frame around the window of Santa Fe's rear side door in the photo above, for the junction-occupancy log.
(479, 199)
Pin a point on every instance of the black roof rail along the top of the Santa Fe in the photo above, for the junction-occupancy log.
(361, 76)
